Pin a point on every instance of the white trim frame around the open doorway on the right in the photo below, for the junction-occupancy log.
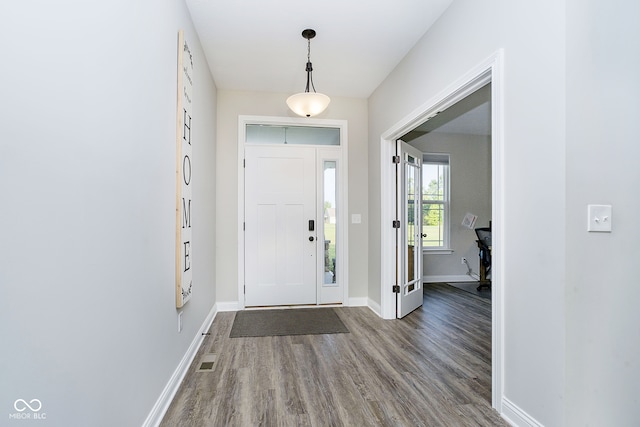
(488, 71)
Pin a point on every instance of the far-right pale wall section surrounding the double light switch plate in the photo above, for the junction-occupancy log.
(603, 154)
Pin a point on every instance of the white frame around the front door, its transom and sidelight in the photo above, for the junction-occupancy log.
(342, 258)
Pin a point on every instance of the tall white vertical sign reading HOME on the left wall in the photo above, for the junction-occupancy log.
(184, 282)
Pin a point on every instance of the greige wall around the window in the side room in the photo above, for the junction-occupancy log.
(470, 188)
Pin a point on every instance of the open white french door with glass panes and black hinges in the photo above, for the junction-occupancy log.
(409, 234)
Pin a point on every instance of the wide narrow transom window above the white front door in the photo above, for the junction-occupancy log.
(296, 135)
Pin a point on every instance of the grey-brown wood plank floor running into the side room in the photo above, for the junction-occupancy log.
(432, 368)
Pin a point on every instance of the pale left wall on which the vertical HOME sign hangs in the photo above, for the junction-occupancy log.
(87, 177)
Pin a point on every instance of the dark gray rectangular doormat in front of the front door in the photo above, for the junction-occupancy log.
(297, 321)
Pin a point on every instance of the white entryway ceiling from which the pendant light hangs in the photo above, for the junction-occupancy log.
(256, 45)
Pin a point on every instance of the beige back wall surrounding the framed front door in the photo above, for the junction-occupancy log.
(231, 104)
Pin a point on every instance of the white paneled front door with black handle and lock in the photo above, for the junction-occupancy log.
(280, 225)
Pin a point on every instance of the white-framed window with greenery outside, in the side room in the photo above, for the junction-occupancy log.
(435, 201)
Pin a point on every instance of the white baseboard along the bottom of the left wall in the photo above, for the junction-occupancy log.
(162, 404)
